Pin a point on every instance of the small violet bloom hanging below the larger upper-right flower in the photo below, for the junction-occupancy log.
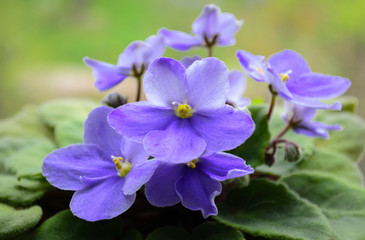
(301, 118)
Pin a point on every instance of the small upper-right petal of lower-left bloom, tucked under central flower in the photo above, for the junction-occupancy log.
(133, 152)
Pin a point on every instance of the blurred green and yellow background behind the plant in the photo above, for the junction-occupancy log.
(42, 42)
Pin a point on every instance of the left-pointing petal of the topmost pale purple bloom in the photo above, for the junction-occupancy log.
(179, 40)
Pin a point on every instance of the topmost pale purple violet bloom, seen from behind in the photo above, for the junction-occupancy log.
(212, 27)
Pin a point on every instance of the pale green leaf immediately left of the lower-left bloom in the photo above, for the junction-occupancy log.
(29, 160)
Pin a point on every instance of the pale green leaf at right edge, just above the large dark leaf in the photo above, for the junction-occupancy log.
(335, 163)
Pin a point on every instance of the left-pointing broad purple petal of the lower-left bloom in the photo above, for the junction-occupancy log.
(65, 167)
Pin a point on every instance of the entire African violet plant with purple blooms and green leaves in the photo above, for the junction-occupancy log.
(194, 161)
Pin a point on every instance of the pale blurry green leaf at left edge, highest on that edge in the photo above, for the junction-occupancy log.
(24, 124)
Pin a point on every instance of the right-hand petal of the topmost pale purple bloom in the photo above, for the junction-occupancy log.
(228, 26)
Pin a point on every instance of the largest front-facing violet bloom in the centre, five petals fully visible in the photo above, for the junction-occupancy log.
(185, 112)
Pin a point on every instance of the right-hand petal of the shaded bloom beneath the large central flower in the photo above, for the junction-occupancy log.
(222, 166)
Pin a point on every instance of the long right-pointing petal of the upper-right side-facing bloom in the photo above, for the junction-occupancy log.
(318, 86)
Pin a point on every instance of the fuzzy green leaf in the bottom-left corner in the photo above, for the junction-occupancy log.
(14, 222)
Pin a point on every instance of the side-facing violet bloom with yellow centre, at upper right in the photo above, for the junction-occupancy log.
(290, 76)
